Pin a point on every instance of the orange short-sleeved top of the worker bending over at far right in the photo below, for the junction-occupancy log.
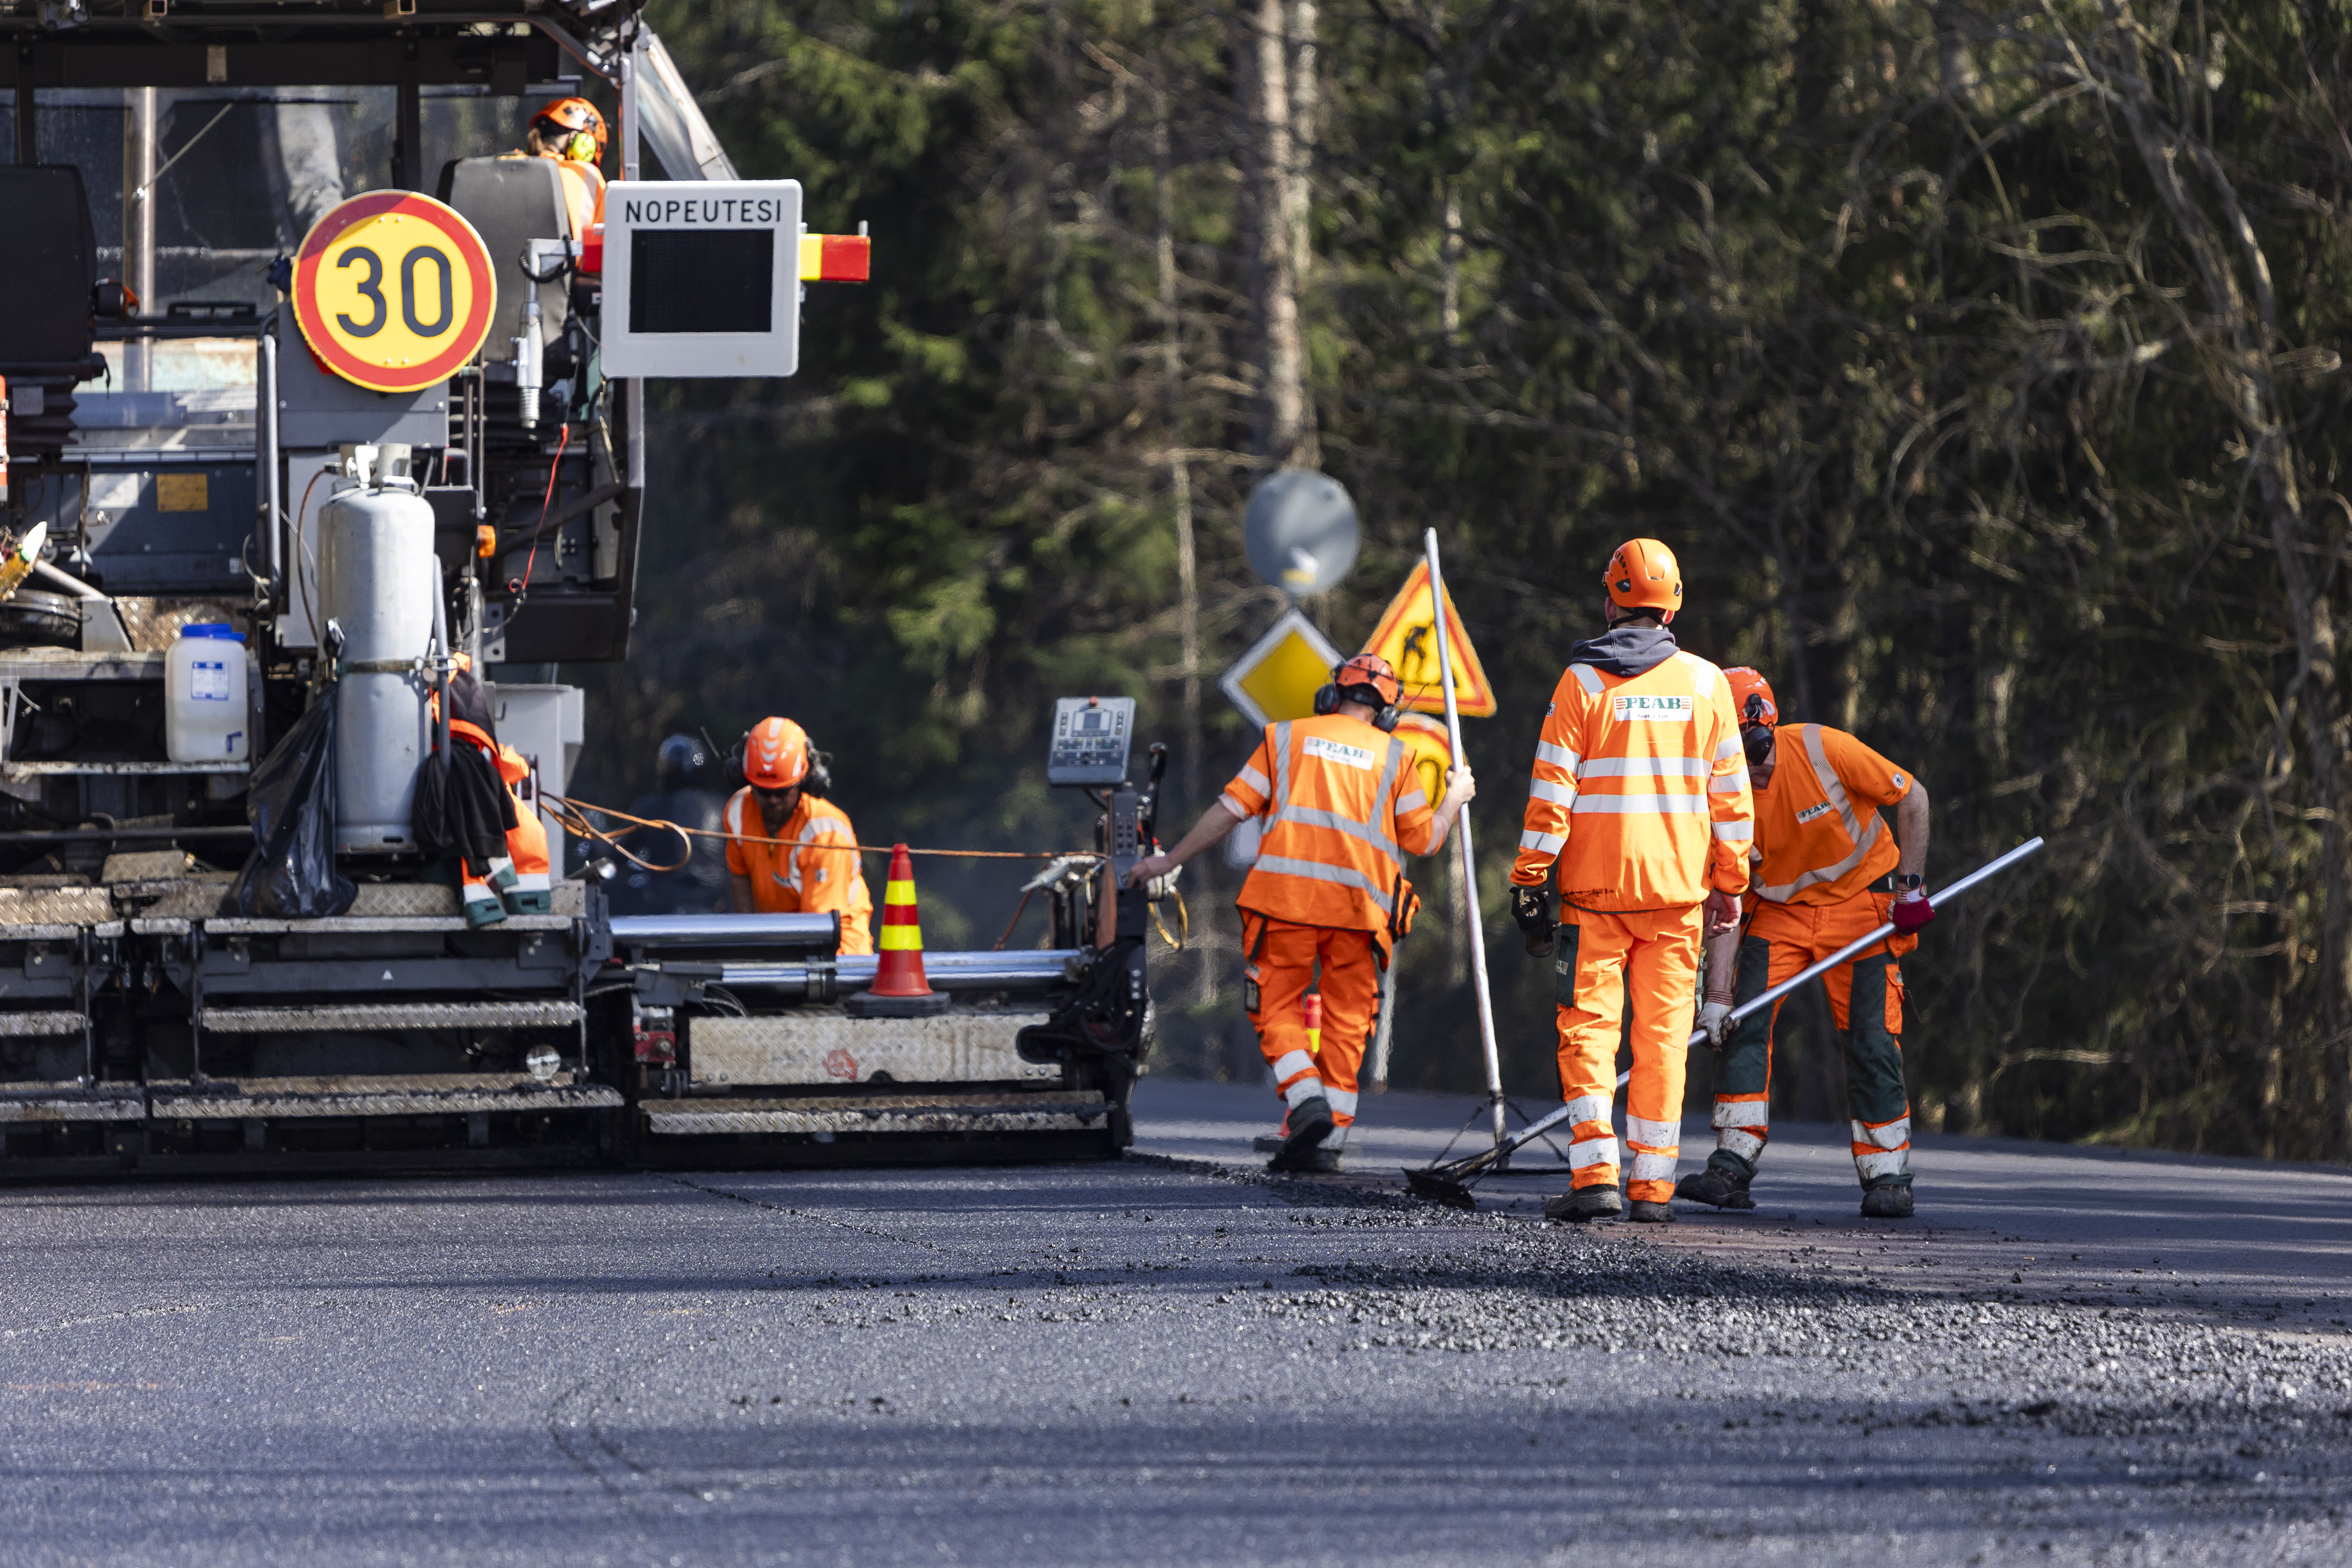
(1819, 831)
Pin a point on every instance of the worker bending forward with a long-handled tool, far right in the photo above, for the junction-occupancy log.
(1824, 873)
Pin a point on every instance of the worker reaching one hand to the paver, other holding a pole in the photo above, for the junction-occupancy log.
(1339, 803)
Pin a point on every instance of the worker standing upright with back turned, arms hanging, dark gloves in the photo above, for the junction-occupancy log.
(1641, 803)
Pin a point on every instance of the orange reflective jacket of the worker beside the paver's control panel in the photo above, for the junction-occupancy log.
(1337, 803)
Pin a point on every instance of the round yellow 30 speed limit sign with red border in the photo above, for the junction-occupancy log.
(394, 290)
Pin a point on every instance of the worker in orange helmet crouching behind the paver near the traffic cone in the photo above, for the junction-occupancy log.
(782, 829)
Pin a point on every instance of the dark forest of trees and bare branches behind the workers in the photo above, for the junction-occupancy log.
(1977, 361)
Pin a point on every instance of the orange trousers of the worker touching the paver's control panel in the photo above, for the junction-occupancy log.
(1281, 970)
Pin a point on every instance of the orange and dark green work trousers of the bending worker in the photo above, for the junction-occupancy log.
(1866, 1007)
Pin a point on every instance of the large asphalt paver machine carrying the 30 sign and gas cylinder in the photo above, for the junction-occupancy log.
(316, 396)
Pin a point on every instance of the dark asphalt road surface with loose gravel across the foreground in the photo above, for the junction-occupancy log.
(1172, 1362)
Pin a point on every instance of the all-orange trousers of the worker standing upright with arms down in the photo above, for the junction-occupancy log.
(1603, 960)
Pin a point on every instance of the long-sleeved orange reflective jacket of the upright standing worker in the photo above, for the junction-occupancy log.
(1641, 789)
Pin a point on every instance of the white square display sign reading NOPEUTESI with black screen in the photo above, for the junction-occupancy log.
(702, 279)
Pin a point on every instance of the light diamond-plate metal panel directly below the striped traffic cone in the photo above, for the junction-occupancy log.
(829, 1047)
